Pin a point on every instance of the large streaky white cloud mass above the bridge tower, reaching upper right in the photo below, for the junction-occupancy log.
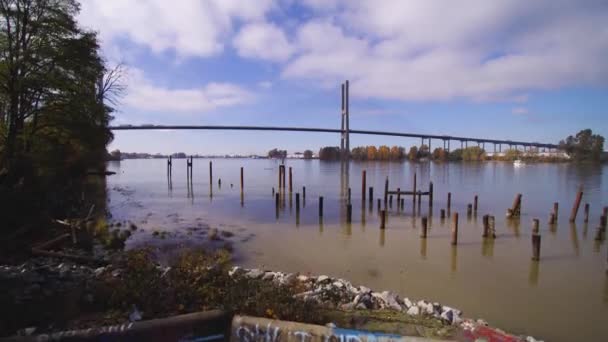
(435, 50)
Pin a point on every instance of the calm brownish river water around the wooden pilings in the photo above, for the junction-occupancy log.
(564, 297)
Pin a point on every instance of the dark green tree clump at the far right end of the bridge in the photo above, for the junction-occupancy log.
(584, 146)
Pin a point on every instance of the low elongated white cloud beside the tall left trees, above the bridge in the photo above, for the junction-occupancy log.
(144, 95)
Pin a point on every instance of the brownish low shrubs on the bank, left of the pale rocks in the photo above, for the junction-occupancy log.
(199, 280)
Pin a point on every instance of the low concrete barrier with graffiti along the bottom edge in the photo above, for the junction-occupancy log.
(213, 326)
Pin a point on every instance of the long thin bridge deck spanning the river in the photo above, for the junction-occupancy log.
(332, 130)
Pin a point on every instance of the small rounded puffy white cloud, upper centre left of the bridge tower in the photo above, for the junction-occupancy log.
(262, 40)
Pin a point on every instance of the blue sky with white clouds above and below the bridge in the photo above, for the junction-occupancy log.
(504, 69)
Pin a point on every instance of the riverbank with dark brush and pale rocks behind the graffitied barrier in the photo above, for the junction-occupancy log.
(131, 286)
